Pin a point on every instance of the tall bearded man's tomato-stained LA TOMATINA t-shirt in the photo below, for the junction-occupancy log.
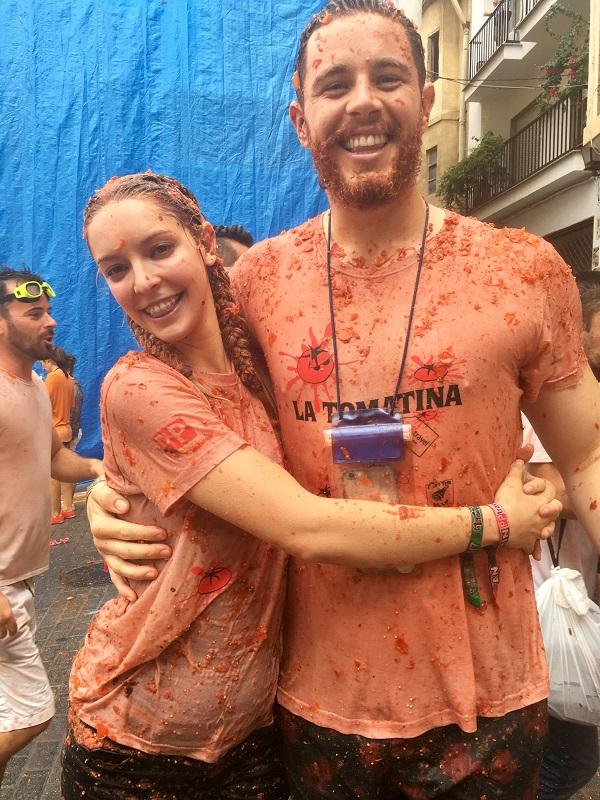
(497, 318)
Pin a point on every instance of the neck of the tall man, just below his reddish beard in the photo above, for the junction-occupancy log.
(365, 231)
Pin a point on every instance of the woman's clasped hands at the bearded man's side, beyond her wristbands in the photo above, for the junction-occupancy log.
(531, 508)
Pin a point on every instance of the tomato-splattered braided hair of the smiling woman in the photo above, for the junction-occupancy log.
(181, 203)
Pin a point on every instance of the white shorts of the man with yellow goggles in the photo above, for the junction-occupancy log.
(26, 698)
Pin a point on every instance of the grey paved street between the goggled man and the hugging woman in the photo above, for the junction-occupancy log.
(67, 597)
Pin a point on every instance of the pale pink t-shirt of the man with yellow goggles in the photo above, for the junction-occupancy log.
(25, 454)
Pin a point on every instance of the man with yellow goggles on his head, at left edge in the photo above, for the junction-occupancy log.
(30, 449)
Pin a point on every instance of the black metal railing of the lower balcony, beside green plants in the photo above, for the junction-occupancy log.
(553, 134)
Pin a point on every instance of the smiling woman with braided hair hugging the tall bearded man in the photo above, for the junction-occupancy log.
(179, 681)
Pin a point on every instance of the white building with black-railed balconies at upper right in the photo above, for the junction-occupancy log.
(546, 175)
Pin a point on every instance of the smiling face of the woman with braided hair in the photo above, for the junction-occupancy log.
(155, 270)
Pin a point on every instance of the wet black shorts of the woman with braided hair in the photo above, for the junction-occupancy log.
(251, 771)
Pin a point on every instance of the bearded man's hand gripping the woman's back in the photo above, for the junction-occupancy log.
(122, 543)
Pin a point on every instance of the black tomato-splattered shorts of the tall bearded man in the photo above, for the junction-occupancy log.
(500, 760)
